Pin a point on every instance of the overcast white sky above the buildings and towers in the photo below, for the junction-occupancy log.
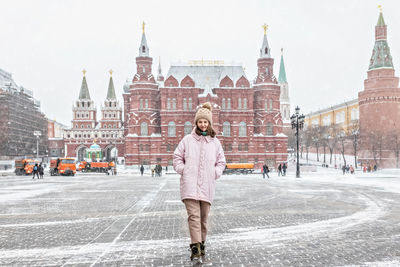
(327, 44)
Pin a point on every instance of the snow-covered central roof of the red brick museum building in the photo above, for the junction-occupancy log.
(206, 77)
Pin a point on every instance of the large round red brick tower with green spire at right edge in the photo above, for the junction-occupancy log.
(379, 105)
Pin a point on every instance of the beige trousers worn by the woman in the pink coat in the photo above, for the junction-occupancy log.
(197, 218)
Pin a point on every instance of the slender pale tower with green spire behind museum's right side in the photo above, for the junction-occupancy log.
(284, 97)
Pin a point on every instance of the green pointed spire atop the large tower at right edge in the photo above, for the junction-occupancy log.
(381, 57)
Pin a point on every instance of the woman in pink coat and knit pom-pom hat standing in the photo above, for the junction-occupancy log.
(199, 159)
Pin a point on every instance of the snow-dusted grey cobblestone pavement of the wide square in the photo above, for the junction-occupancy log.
(127, 220)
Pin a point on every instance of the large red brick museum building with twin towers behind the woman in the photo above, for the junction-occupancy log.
(158, 112)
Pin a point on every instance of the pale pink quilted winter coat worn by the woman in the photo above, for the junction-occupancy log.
(200, 161)
